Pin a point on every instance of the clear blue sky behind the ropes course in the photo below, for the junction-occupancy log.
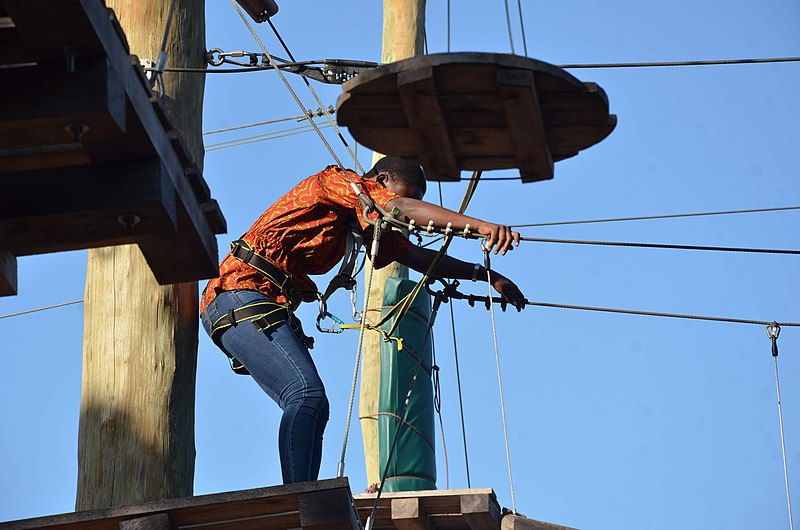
(614, 421)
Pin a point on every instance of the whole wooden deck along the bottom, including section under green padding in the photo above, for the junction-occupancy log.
(322, 505)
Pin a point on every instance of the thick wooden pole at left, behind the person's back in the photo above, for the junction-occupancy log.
(136, 435)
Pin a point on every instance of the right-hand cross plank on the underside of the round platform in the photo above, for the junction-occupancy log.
(526, 125)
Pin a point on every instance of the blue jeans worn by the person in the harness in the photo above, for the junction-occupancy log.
(283, 368)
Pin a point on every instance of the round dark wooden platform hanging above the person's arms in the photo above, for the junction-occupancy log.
(475, 111)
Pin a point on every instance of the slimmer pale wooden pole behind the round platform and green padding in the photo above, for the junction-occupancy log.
(403, 37)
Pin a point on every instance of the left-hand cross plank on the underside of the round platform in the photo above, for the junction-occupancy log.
(430, 132)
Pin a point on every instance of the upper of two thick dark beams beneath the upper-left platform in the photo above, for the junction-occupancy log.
(39, 102)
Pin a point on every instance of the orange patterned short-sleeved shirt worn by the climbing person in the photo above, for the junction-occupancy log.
(305, 232)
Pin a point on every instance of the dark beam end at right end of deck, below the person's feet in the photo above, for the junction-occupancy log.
(327, 510)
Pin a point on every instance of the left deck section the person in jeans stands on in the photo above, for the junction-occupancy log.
(322, 505)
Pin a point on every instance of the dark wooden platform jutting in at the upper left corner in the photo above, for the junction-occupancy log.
(88, 157)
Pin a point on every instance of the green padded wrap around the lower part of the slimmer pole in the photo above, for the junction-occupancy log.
(413, 462)
